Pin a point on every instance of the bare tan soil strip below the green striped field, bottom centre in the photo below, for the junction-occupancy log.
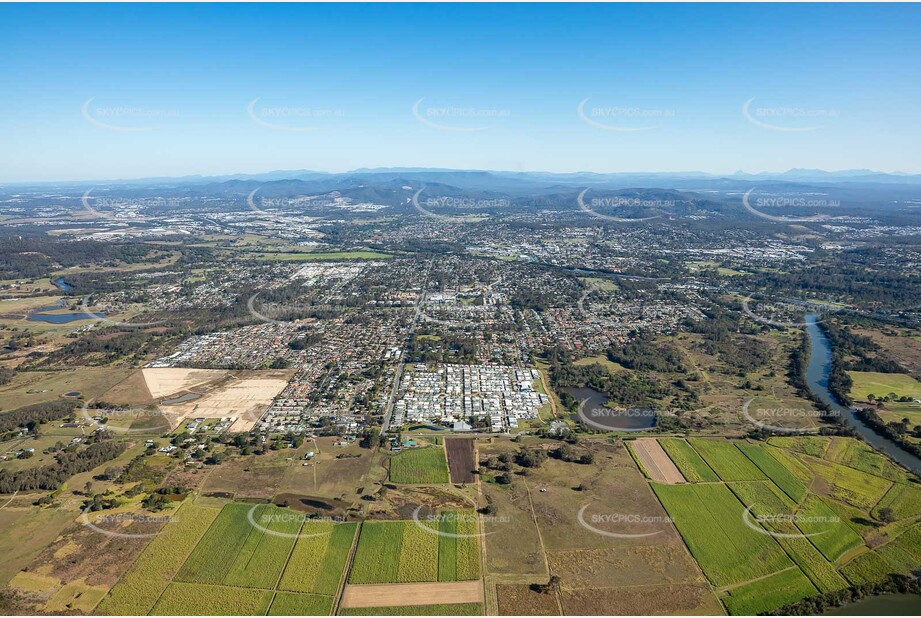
(399, 595)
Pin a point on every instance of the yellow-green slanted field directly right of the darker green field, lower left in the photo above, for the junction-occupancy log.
(317, 562)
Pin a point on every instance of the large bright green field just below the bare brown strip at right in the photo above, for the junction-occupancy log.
(709, 518)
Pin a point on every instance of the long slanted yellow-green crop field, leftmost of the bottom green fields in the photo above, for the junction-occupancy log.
(140, 588)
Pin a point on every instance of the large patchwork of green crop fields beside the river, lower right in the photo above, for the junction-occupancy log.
(771, 523)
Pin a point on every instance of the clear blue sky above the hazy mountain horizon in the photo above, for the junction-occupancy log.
(501, 87)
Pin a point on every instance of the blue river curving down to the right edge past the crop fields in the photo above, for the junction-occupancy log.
(817, 379)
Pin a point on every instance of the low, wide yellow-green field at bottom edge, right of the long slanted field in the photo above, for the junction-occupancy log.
(205, 600)
